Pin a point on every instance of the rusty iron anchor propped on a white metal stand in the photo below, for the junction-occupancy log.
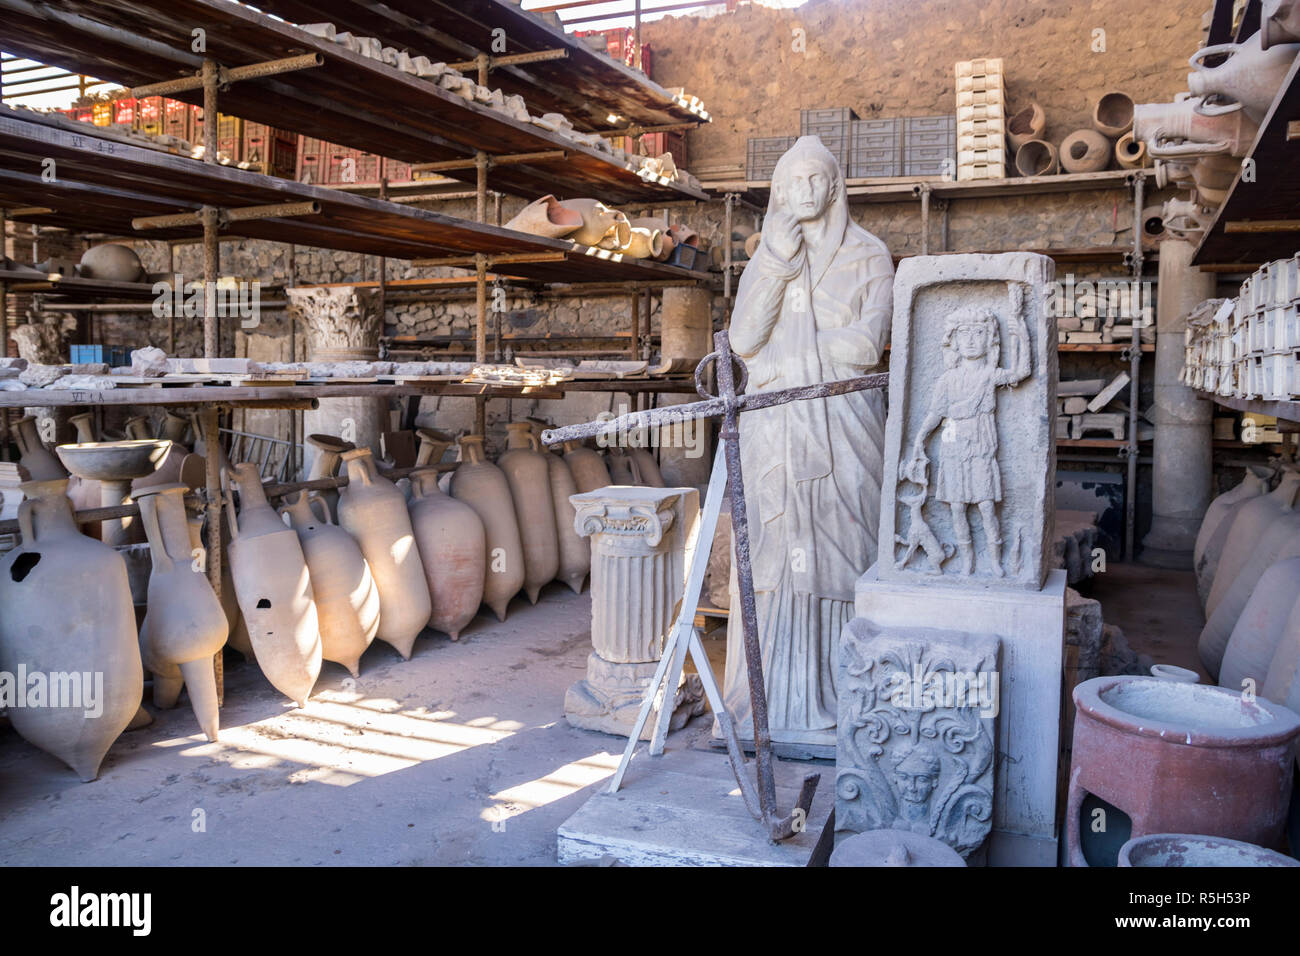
(729, 404)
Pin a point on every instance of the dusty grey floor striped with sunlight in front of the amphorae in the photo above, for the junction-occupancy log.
(458, 756)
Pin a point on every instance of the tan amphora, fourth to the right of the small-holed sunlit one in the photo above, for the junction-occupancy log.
(483, 487)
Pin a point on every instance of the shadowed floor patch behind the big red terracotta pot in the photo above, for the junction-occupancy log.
(1158, 611)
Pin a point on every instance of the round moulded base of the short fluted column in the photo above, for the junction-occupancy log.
(610, 698)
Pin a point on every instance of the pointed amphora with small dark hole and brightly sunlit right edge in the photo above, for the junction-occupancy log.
(275, 591)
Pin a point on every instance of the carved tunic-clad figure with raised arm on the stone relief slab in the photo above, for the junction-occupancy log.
(965, 404)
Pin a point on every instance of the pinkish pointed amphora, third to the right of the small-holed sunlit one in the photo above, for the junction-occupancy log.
(452, 538)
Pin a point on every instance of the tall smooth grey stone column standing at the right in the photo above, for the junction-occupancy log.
(1184, 448)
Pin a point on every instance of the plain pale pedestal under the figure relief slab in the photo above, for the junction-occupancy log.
(1032, 629)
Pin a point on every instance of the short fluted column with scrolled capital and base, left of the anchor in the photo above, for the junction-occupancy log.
(639, 538)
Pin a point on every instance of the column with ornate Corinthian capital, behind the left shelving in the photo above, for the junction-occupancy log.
(344, 325)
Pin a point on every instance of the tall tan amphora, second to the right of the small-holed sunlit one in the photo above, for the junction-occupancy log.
(372, 511)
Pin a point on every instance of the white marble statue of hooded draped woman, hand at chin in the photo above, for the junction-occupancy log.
(814, 305)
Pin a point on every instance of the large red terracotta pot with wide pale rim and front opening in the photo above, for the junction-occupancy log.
(1176, 759)
